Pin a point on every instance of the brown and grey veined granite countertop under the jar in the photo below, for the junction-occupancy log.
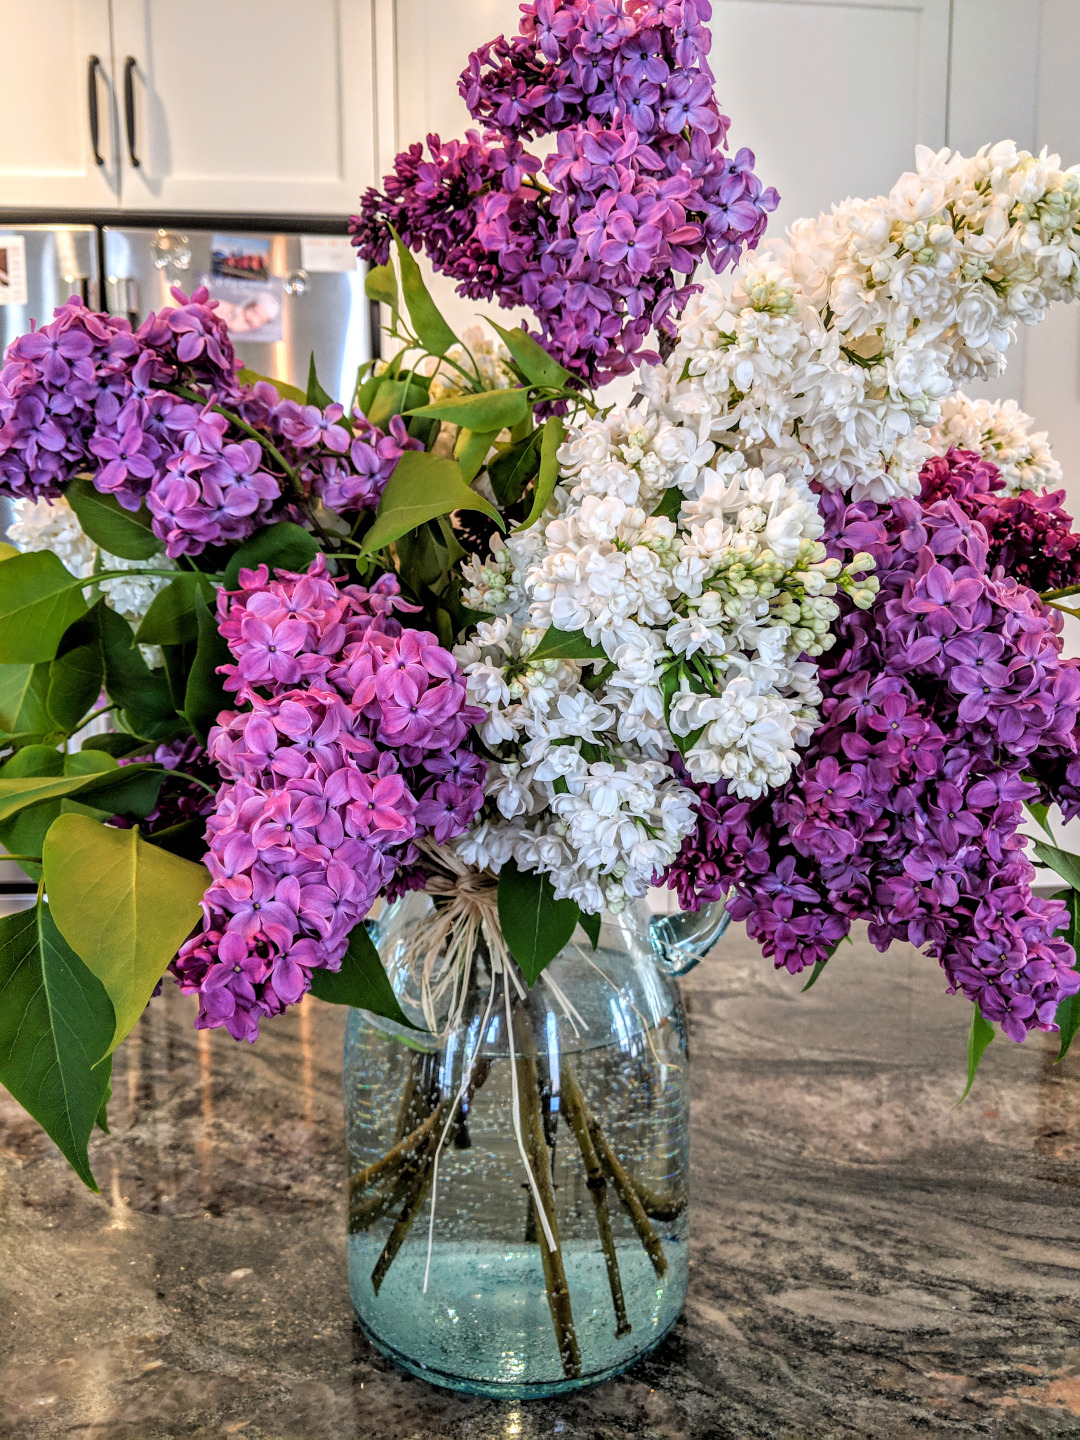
(868, 1261)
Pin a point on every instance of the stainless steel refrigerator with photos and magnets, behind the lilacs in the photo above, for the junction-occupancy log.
(286, 296)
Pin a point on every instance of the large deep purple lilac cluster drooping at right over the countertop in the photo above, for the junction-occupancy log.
(906, 807)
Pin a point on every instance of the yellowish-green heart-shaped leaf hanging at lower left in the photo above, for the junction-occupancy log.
(125, 906)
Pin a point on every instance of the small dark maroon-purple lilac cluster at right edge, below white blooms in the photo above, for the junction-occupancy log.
(1029, 535)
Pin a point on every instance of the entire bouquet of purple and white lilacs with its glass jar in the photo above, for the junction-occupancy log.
(495, 656)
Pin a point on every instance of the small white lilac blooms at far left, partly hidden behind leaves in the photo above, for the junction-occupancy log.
(53, 525)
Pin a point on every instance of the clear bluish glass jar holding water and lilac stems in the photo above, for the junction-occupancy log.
(518, 1202)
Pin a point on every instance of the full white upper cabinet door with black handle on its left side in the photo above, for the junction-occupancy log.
(260, 106)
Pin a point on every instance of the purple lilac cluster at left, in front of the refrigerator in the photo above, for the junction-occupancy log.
(153, 417)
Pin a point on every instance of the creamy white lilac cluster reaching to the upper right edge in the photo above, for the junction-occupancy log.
(830, 355)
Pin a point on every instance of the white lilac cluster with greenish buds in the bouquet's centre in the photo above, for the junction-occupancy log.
(703, 627)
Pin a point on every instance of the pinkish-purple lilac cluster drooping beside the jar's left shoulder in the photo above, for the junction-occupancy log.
(355, 747)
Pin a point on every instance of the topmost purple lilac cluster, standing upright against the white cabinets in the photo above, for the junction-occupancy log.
(637, 192)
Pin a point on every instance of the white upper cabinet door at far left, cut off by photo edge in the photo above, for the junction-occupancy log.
(54, 102)
